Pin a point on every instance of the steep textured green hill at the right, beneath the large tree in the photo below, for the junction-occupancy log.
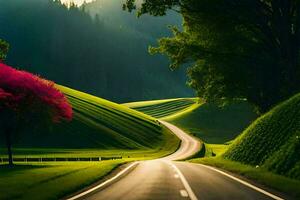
(272, 141)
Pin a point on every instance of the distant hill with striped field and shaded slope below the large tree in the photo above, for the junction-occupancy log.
(209, 122)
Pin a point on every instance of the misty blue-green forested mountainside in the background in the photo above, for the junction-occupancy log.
(107, 58)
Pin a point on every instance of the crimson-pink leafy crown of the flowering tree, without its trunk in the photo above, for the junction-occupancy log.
(31, 97)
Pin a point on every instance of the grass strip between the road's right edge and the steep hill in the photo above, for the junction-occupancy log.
(280, 183)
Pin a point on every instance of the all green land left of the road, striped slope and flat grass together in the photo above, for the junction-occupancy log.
(99, 129)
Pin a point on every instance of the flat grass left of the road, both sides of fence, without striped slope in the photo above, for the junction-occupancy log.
(54, 180)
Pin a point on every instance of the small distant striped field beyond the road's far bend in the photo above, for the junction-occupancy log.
(163, 108)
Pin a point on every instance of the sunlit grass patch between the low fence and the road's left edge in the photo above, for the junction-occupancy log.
(50, 180)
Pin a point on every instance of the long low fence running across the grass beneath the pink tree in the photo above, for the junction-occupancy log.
(59, 159)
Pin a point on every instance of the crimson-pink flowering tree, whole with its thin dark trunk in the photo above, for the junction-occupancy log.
(28, 100)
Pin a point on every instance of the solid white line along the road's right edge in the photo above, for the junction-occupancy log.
(244, 183)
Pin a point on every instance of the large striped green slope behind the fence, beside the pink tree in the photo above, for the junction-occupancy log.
(98, 124)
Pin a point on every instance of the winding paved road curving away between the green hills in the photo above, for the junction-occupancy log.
(166, 179)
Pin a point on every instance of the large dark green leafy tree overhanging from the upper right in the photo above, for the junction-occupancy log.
(236, 48)
